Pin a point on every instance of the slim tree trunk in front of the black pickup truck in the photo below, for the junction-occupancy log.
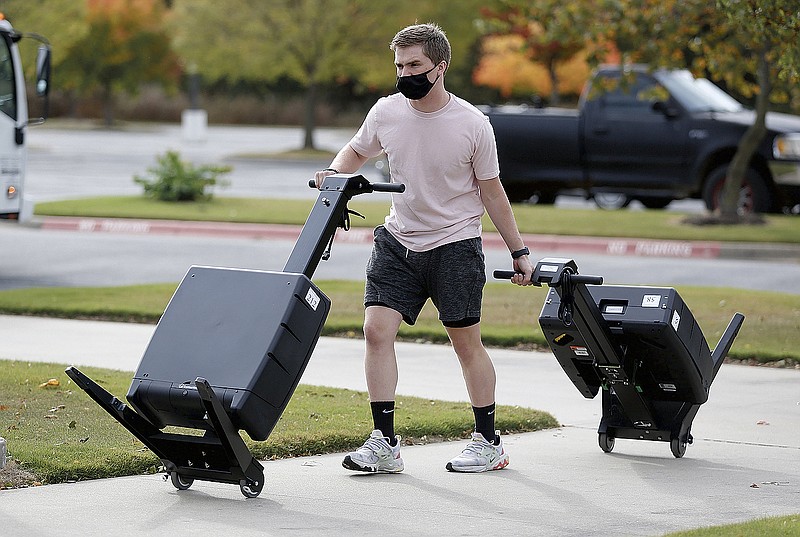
(748, 145)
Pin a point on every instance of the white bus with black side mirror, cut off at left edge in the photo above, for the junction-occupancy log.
(14, 113)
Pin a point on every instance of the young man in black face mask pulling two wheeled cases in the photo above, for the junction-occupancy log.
(443, 150)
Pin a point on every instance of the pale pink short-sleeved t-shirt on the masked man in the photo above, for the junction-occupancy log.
(440, 157)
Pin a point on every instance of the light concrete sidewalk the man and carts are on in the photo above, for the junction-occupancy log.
(744, 463)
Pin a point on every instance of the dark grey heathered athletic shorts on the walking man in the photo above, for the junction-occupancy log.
(452, 276)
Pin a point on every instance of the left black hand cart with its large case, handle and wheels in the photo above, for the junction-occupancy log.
(229, 351)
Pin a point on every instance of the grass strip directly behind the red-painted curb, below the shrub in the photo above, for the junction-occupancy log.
(530, 218)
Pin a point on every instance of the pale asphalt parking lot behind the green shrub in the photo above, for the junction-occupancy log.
(75, 163)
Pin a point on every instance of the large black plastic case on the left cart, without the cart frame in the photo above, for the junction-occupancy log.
(249, 332)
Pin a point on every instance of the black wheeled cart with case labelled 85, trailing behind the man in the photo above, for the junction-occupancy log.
(640, 345)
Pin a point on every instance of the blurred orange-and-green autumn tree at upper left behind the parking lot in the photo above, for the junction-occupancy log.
(123, 47)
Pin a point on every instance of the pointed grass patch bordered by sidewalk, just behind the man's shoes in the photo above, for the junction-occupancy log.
(55, 432)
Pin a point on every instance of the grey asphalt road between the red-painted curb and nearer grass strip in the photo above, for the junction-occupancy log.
(44, 258)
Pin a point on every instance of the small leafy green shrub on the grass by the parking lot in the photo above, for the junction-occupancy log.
(175, 180)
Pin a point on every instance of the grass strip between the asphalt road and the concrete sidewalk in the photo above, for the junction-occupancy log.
(510, 313)
